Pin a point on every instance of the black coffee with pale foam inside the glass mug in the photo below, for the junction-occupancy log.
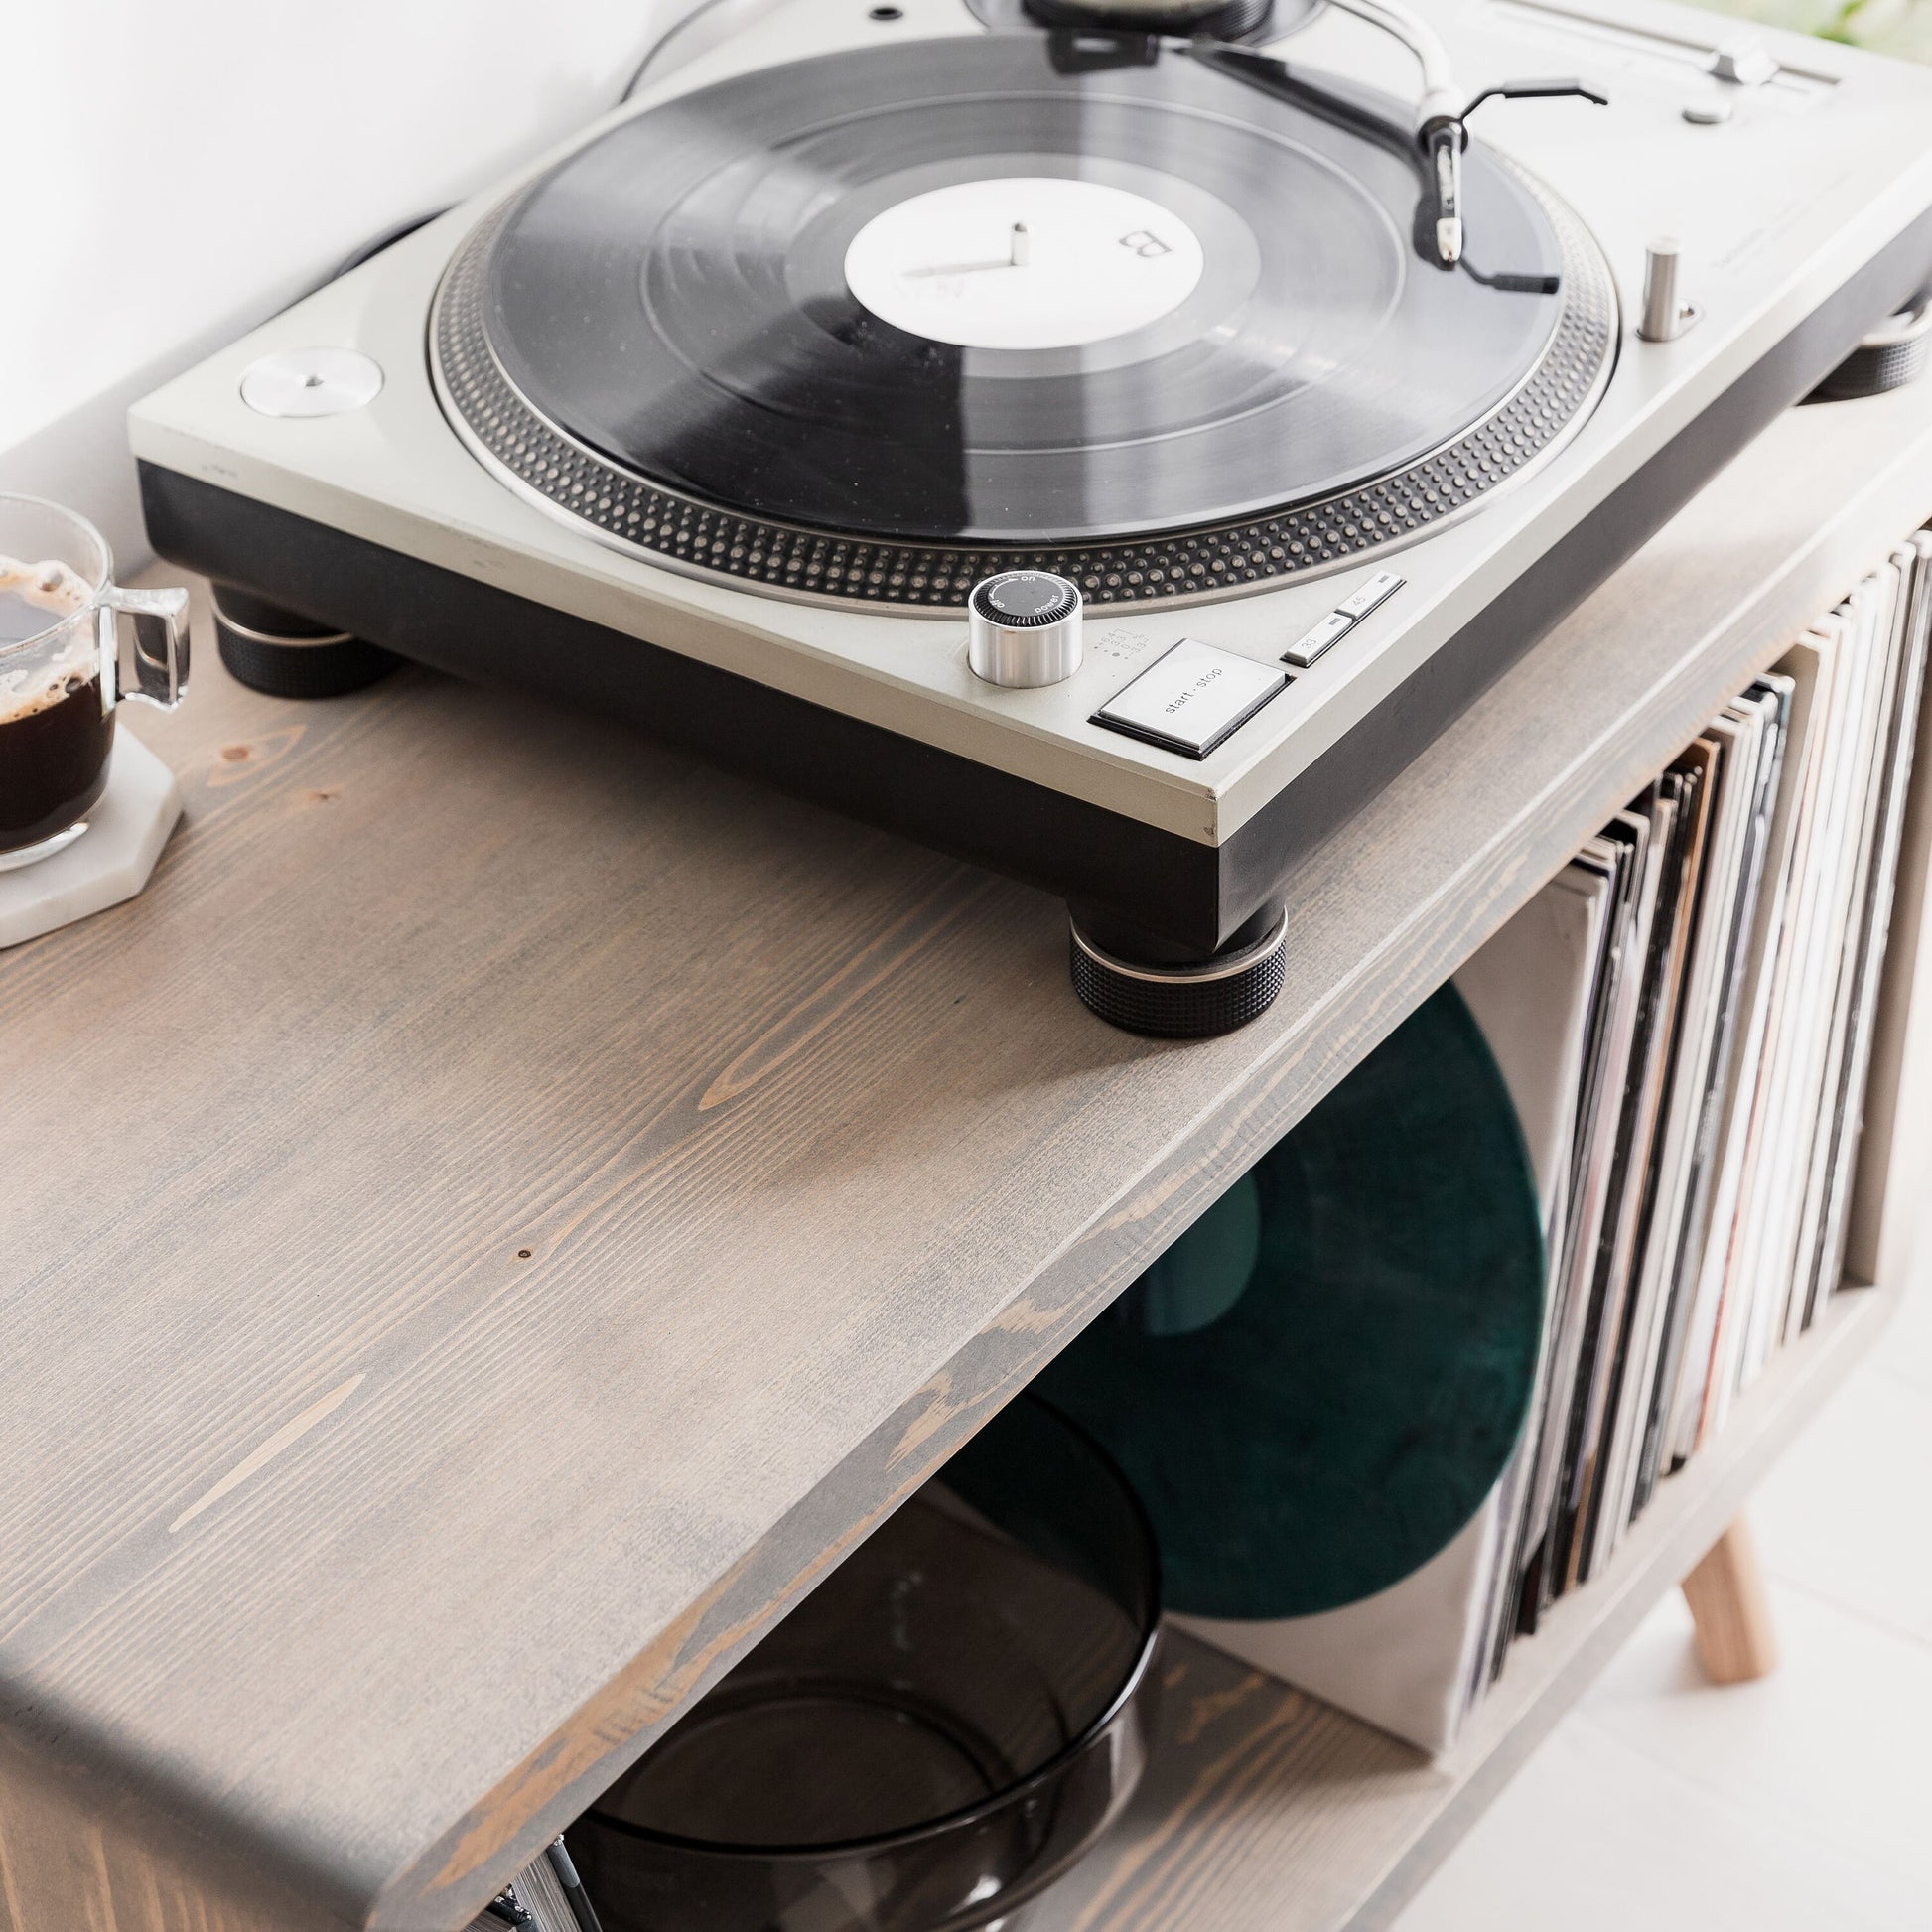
(55, 739)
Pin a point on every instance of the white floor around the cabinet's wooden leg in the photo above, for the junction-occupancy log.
(1802, 1804)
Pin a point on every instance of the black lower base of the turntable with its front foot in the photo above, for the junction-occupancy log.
(1151, 905)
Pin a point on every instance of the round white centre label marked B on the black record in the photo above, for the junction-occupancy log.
(1025, 264)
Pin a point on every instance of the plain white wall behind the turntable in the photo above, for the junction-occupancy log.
(175, 171)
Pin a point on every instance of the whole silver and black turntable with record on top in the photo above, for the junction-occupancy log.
(1100, 447)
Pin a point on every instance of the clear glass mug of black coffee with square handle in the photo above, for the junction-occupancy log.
(72, 646)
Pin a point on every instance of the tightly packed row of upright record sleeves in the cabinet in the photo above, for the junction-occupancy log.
(1722, 942)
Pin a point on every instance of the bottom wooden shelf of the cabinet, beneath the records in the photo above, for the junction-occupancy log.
(1266, 1809)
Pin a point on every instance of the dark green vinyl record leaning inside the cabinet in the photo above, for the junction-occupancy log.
(1322, 1380)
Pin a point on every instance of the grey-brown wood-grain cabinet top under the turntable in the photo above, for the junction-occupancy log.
(509, 1208)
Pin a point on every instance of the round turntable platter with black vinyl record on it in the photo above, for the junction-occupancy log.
(921, 310)
